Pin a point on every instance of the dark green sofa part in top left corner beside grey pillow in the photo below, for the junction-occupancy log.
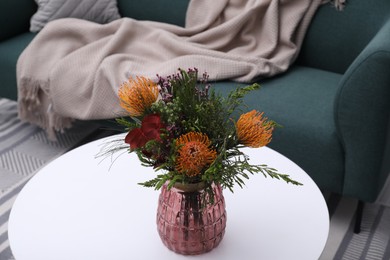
(15, 17)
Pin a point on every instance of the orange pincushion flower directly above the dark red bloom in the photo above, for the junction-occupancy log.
(136, 95)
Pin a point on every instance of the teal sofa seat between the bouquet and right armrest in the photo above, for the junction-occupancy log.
(302, 101)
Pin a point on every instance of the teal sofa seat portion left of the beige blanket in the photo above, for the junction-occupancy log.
(9, 52)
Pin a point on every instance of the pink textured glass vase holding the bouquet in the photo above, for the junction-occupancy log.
(186, 224)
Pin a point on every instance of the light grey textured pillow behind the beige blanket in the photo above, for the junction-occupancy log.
(100, 11)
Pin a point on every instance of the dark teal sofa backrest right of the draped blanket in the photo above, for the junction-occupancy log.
(335, 38)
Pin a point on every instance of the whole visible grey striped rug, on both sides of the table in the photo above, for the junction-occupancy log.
(24, 149)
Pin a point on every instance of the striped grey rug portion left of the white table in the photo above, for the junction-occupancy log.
(24, 149)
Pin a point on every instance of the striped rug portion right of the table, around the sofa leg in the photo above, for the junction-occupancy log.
(372, 243)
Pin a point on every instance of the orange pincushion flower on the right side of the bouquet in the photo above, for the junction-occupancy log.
(254, 130)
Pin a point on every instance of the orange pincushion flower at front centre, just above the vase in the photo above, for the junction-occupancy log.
(194, 153)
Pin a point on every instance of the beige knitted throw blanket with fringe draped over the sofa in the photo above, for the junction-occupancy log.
(73, 68)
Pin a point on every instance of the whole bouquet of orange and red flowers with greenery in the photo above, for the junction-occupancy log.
(180, 126)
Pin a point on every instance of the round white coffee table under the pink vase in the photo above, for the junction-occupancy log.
(79, 208)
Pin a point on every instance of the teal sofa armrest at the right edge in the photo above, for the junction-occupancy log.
(362, 112)
